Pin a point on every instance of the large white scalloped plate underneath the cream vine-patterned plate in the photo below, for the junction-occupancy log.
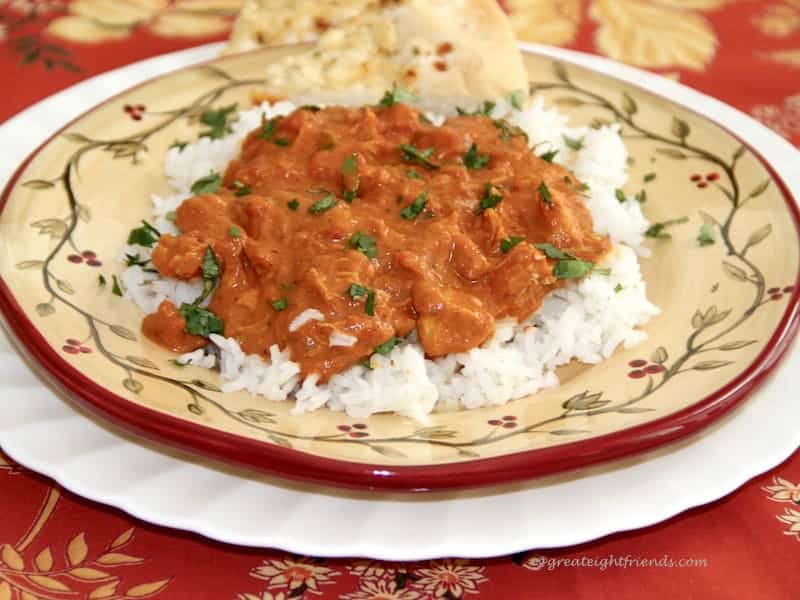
(100, 462)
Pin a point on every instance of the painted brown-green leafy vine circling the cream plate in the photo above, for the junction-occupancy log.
(708, 343)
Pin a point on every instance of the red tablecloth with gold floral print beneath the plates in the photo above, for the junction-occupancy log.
(54, 545)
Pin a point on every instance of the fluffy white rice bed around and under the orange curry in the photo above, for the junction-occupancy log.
(586, 320)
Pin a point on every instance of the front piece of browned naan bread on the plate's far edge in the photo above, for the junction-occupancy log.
(448, 52)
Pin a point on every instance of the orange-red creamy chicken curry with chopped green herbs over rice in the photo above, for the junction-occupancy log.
(338, 230)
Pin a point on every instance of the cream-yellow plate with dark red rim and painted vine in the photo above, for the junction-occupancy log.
(729, 310)
